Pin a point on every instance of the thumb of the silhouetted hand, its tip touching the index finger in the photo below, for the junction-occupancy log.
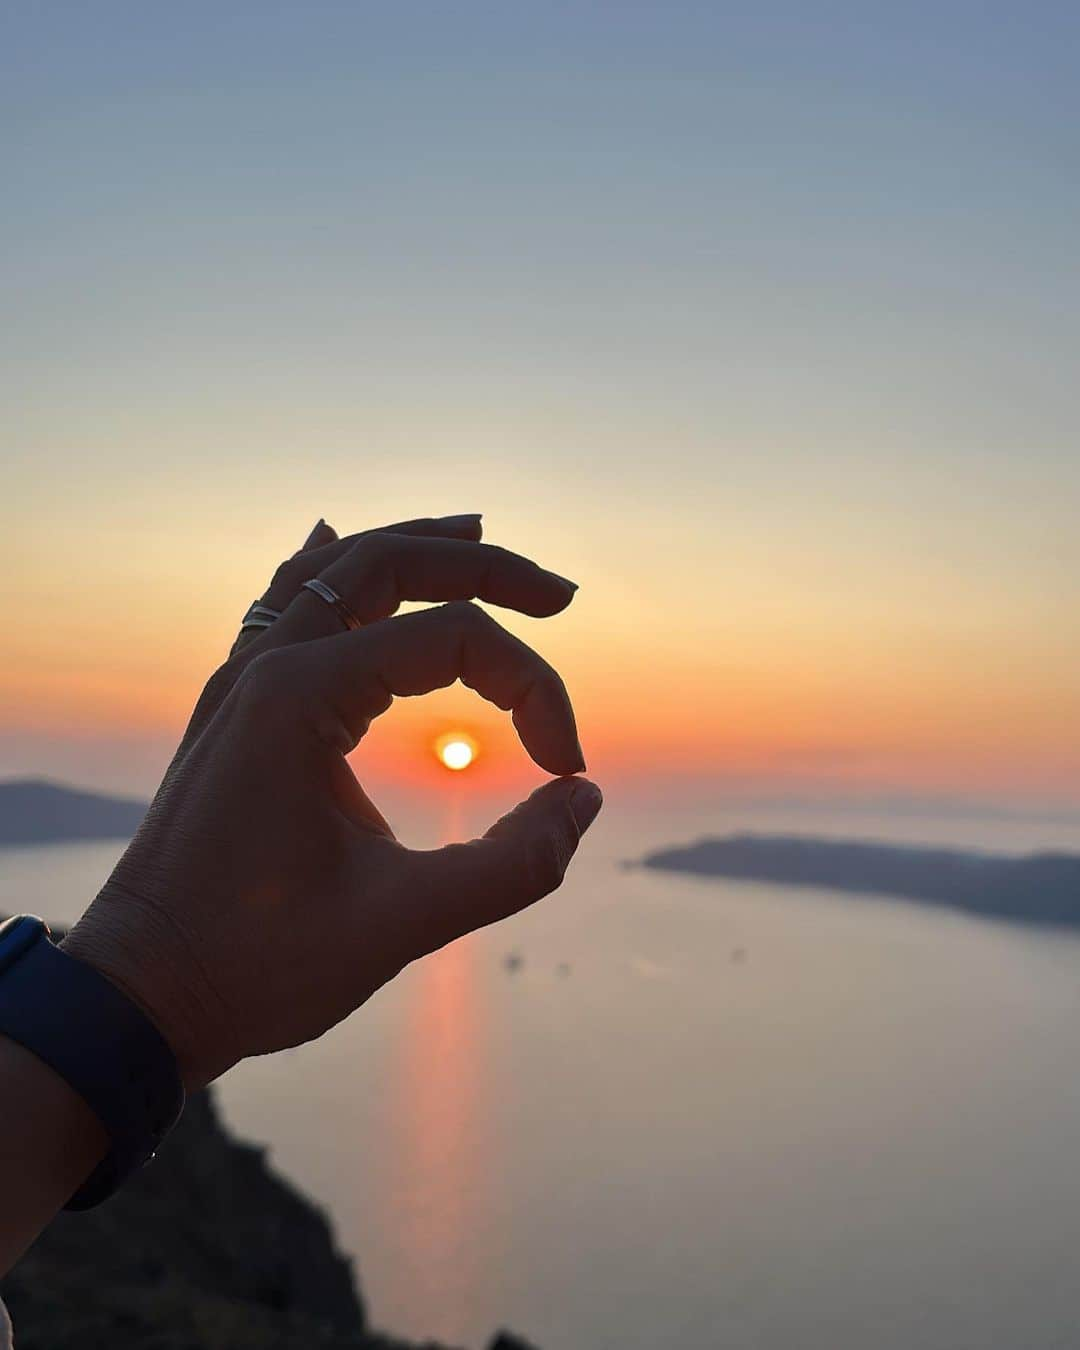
(520, 861)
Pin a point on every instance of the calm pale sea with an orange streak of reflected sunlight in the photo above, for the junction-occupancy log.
(863, 1131)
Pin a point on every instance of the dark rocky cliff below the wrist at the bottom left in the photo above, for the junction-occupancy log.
(206, 1249)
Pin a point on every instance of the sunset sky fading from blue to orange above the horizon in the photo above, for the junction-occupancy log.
(759, 322)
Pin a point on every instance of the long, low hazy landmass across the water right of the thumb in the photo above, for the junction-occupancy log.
(1033, 889)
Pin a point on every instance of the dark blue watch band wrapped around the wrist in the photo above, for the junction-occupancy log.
(98, 1040)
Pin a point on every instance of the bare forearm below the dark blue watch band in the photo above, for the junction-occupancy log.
(51, 1141)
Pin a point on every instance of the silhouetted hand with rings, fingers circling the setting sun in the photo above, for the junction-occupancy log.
(265, 897)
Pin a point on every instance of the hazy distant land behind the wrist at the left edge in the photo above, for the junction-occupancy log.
(37, 812)
